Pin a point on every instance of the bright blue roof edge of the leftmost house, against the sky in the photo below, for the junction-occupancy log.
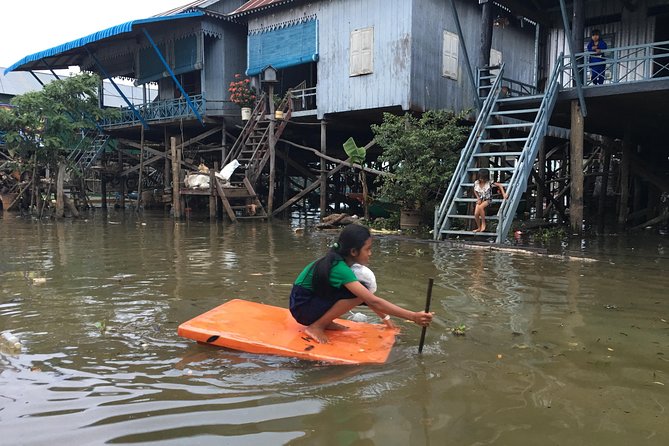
(28, 61)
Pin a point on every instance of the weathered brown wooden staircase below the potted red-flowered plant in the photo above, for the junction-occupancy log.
(252, 151)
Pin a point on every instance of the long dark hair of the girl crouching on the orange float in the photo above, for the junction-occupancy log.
(351, 237)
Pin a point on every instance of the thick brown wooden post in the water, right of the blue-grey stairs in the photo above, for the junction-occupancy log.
(576, 168)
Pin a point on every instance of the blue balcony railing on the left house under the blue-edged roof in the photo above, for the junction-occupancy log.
(158, 111)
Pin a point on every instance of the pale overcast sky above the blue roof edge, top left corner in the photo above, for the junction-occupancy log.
(30, 26)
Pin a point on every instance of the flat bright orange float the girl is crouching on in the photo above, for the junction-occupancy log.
(258, 328)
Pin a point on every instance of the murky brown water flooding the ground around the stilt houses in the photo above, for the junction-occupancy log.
(556, 351)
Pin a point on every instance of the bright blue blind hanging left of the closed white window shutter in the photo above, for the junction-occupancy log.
(283, 46)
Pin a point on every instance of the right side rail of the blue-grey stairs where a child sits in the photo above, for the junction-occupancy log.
(518, 182)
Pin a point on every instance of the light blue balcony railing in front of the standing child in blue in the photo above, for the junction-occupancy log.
(623, 64)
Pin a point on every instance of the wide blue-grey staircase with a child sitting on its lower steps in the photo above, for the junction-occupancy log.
(505, 140)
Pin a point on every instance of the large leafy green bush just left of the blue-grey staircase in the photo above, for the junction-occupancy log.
(422, 153)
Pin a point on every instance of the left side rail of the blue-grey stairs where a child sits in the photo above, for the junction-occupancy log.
(441, 220)
